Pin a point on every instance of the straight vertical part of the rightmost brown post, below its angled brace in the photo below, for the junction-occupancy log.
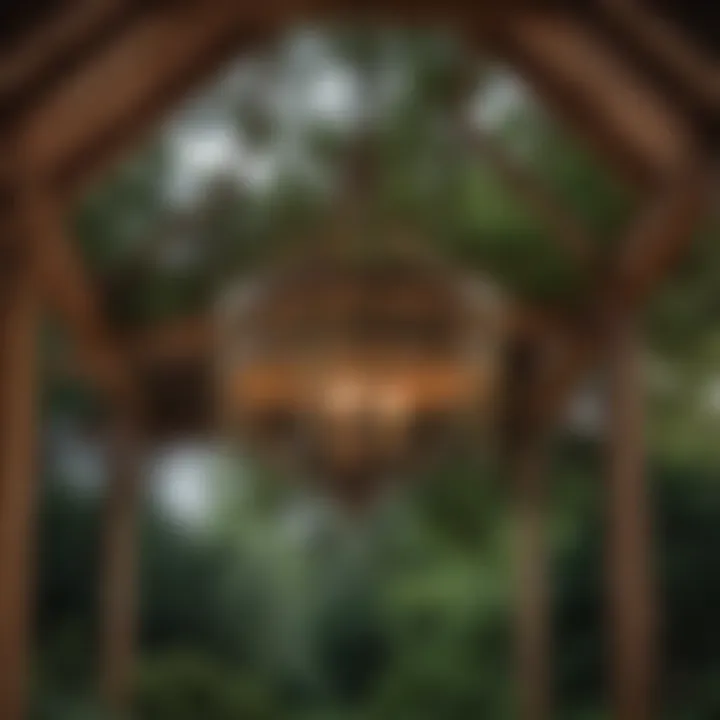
(631, 610)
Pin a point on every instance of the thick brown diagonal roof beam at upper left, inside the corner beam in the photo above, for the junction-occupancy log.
(114, 99)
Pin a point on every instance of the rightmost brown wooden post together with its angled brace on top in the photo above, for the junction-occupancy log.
(660, 236)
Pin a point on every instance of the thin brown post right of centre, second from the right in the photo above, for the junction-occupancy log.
(532, 591)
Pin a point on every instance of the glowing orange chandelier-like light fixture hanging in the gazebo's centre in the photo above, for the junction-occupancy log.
(348, 370)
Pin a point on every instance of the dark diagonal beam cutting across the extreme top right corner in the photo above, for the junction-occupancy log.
(678, 55)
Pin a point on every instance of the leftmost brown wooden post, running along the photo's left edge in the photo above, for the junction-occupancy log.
(19, 326)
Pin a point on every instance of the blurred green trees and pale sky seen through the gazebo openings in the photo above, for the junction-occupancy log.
(261, 600)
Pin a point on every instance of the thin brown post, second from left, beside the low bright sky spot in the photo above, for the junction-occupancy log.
(118, 611)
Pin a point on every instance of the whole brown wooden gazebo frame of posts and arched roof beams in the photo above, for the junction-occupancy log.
(82, 80)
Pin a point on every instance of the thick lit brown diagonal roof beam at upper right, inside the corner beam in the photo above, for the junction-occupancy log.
(592, 89)
